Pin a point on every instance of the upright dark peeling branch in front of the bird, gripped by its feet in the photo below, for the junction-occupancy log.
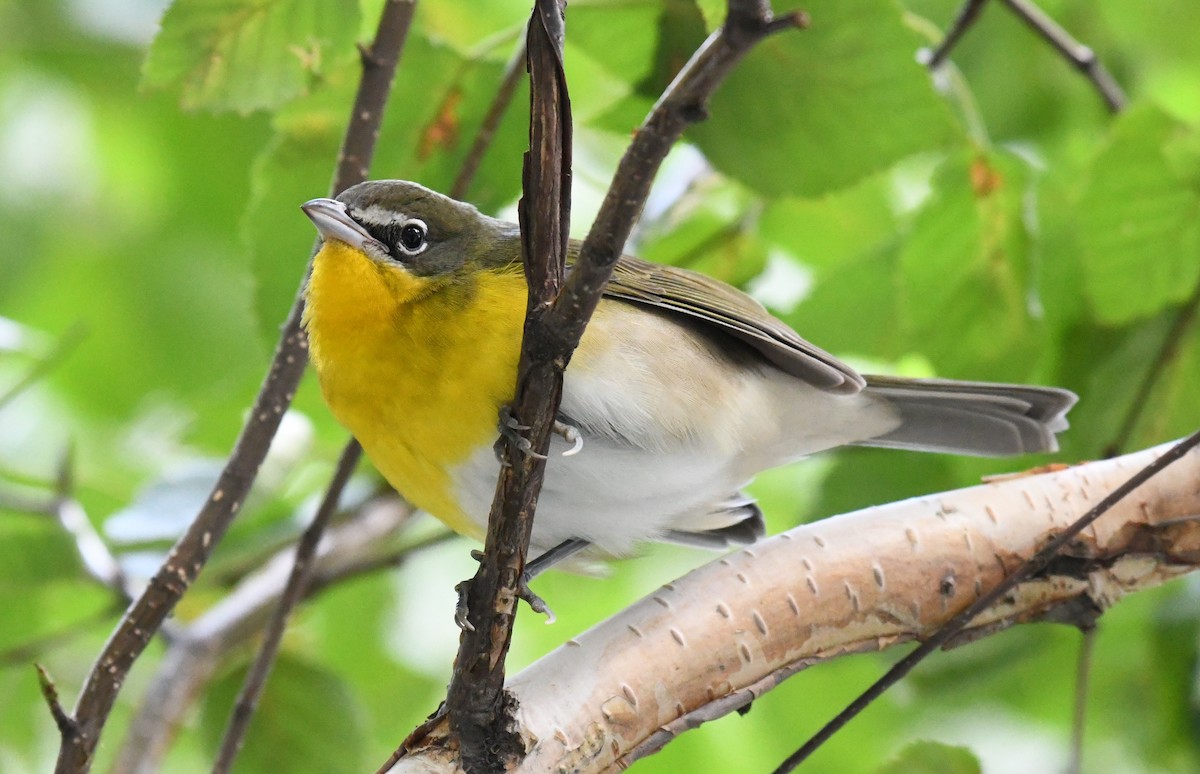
(477, 705)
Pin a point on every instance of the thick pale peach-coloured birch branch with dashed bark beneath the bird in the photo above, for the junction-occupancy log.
(725, 634)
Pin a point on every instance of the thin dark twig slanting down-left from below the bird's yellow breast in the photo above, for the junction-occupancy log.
(298, 581)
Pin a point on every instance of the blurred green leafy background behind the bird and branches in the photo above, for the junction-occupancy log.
(991, 221)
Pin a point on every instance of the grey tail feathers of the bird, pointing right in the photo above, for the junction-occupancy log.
(971, 418)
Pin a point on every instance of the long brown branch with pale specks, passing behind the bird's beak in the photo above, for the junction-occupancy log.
(193, 551)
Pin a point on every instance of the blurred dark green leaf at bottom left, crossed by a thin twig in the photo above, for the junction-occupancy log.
(308, 721)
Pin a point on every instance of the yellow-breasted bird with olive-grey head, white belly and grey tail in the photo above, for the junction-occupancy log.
(681, 392)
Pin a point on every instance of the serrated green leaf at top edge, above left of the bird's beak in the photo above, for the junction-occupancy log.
(248, 56)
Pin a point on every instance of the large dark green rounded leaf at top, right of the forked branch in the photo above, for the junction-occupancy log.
(814, 111)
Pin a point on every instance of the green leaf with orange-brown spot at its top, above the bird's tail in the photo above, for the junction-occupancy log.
(964, 272)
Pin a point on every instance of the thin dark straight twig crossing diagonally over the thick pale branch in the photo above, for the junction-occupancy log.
(1037, 563)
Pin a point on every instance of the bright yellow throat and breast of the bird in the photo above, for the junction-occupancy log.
(416, 368)
